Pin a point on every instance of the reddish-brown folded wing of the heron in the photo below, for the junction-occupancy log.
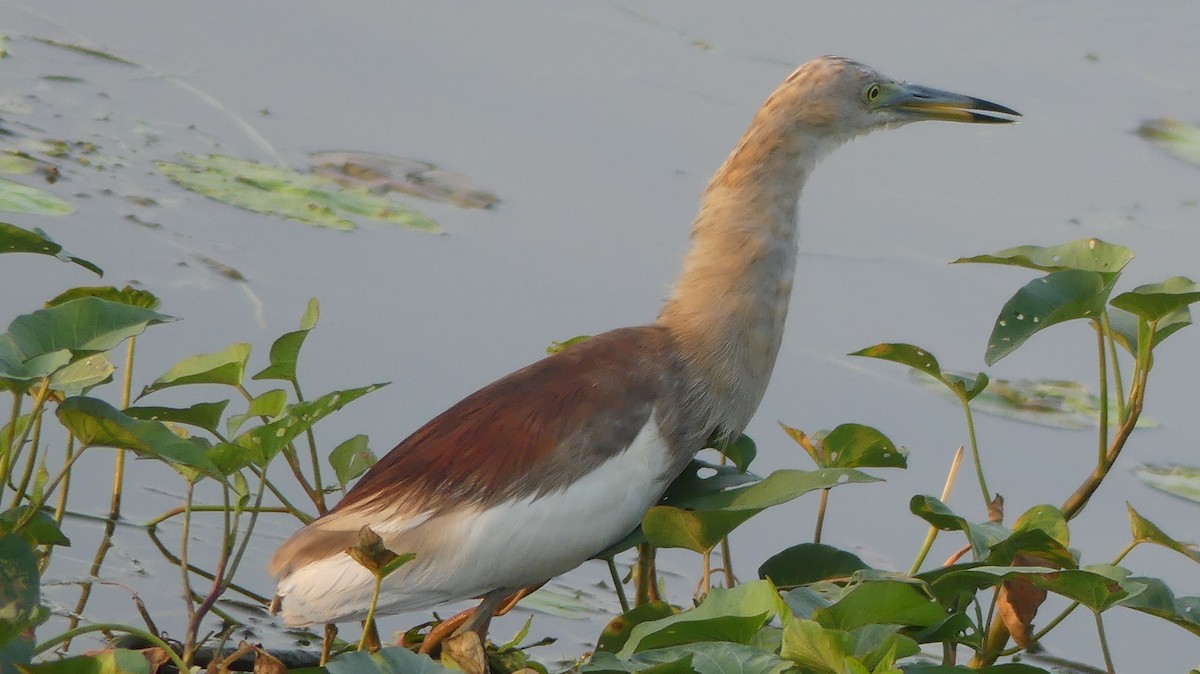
(532, 431)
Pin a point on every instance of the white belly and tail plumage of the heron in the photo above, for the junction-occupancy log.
(513, 545)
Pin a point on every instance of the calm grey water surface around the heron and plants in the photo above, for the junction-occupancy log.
(598, 125)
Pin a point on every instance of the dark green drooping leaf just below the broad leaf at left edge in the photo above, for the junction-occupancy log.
(98, 424)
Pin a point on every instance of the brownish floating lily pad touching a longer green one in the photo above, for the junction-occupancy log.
(383, 173)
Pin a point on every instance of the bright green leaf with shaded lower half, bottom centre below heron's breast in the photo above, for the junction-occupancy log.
(725, 616)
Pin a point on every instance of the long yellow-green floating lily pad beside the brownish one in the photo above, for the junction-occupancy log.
(287, 194)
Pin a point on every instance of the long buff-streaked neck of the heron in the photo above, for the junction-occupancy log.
(730, 303)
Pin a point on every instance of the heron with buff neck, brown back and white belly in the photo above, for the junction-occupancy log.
(543, 470)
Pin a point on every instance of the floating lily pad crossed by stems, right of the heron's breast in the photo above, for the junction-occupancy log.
(1043, 402)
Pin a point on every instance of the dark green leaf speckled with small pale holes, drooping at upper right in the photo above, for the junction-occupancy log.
(1051, 300)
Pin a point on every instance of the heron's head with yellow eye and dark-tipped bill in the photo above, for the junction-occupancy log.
(841, 99)
